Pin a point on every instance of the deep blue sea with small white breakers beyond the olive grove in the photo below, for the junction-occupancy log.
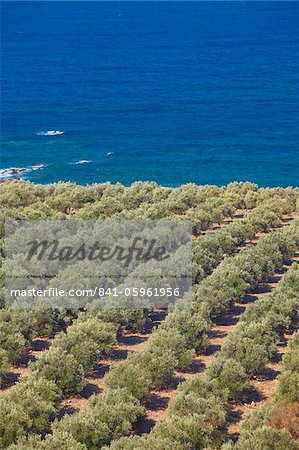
(173, 92)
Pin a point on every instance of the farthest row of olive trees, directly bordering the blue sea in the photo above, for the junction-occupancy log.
(106, 199)
